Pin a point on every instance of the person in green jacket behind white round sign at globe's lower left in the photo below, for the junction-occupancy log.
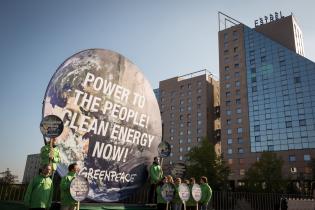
(67, 202)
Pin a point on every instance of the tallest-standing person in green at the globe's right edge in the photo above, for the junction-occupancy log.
(156, 175)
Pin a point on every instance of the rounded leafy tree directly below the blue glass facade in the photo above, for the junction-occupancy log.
(265, 175)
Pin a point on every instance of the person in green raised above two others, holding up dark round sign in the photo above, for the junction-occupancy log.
(50, 154)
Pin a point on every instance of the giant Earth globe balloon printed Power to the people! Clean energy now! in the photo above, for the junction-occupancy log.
(112, 122)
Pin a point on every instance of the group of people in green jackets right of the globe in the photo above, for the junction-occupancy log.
(157, 180)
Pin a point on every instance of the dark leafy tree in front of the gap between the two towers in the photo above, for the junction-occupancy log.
(202, 160)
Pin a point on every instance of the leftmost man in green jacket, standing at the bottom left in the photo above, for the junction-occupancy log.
(40, 190)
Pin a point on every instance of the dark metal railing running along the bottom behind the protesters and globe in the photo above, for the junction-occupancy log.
(219, 201)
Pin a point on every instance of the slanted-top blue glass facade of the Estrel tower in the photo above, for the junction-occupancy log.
(281, 95)
